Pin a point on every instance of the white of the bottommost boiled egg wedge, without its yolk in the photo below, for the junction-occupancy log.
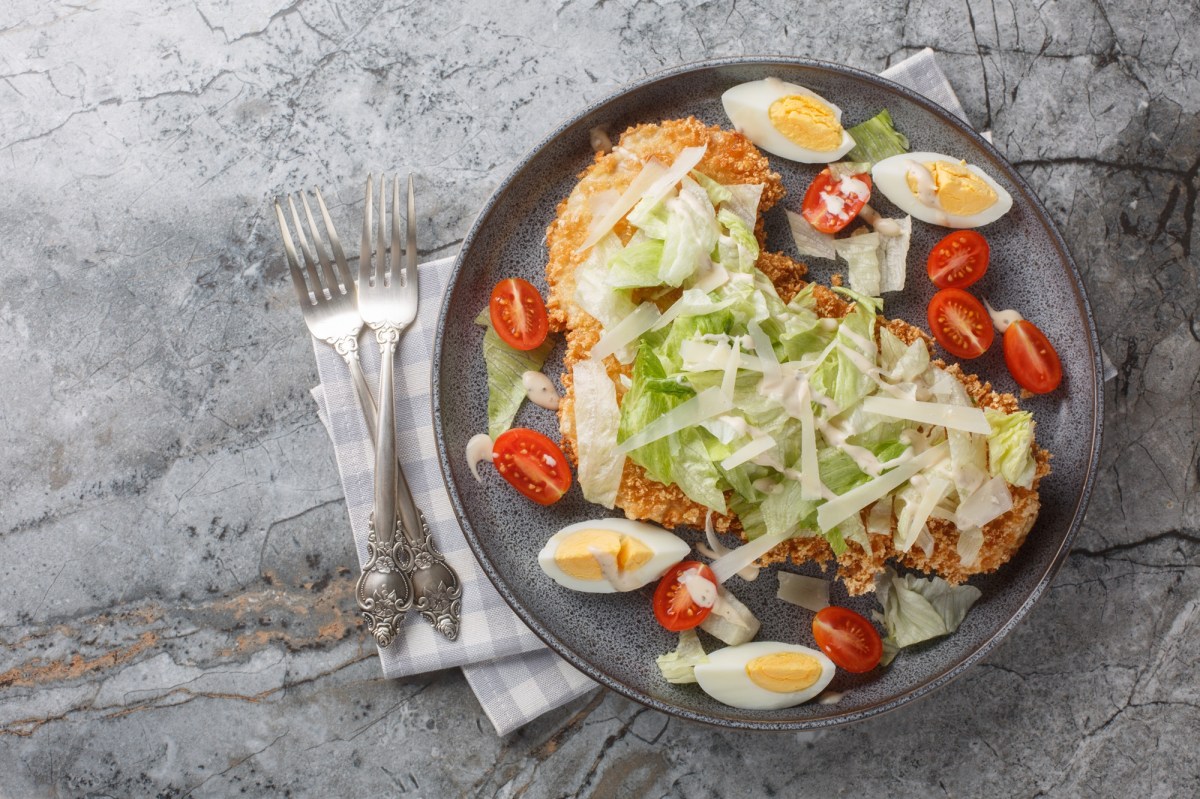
(724, 677)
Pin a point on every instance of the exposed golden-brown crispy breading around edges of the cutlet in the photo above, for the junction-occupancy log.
(731, 159)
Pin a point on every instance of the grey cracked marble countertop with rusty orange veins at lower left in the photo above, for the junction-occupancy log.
(176, 610)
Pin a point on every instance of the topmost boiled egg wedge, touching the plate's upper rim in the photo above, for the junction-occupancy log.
(788, 121)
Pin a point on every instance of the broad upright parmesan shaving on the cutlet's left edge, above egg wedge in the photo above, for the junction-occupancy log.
(597, 419)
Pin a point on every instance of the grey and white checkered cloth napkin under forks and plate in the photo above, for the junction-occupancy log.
(514, 676)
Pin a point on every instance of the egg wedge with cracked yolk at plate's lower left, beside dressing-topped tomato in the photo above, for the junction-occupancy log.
(577, 557)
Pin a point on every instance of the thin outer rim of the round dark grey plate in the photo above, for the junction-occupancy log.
(935, 681)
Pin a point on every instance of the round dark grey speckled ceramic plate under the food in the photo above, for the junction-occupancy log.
(614, 639)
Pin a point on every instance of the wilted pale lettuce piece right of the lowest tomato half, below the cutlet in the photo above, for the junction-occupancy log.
(917, 609)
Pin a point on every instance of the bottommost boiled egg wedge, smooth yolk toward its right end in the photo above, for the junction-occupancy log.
(765, 675)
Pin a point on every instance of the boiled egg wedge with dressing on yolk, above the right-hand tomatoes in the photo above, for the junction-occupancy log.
(941, 190)
